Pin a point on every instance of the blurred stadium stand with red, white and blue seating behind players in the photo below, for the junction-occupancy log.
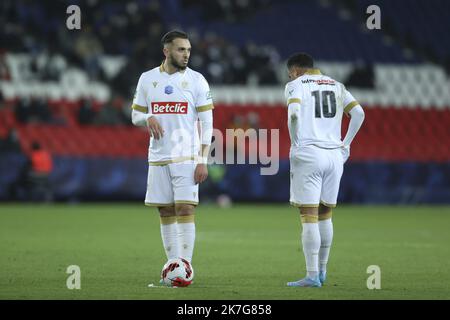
(401, 155)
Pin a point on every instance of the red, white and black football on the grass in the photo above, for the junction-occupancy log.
(177, 273)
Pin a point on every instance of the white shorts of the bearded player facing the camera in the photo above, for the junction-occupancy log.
(171, 184)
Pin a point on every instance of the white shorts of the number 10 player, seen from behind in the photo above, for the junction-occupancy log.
(315, 176)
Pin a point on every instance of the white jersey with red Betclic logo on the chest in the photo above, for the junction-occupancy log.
(174, 100)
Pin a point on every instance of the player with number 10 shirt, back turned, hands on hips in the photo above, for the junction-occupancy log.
(316, 104)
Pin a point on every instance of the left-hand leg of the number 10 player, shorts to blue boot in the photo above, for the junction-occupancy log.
(306, 184)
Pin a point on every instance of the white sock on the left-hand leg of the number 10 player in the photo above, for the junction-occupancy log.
(311, 246)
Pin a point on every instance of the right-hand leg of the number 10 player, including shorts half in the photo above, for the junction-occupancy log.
(330, 189)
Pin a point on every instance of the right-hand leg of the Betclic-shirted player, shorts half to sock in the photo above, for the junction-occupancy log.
(186, 199)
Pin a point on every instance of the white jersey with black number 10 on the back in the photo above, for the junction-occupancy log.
(316, 103)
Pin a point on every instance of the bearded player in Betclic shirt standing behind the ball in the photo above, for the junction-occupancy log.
(175, 103)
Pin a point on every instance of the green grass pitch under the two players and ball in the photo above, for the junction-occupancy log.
(244, 252)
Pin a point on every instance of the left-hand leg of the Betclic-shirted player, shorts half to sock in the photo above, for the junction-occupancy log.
(159, 194)
